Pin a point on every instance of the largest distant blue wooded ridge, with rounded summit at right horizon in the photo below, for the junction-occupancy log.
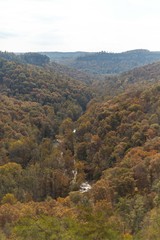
(113, 63)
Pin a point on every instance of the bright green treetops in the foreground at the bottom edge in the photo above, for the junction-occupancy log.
(52, 228)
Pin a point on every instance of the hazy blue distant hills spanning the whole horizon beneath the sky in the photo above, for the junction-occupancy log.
(89, 62)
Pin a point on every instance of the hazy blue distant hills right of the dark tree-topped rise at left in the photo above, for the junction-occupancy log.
(105, 62)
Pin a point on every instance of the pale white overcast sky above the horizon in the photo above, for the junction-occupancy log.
(79, 25)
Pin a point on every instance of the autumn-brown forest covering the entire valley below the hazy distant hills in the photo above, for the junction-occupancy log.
(57, 132)
